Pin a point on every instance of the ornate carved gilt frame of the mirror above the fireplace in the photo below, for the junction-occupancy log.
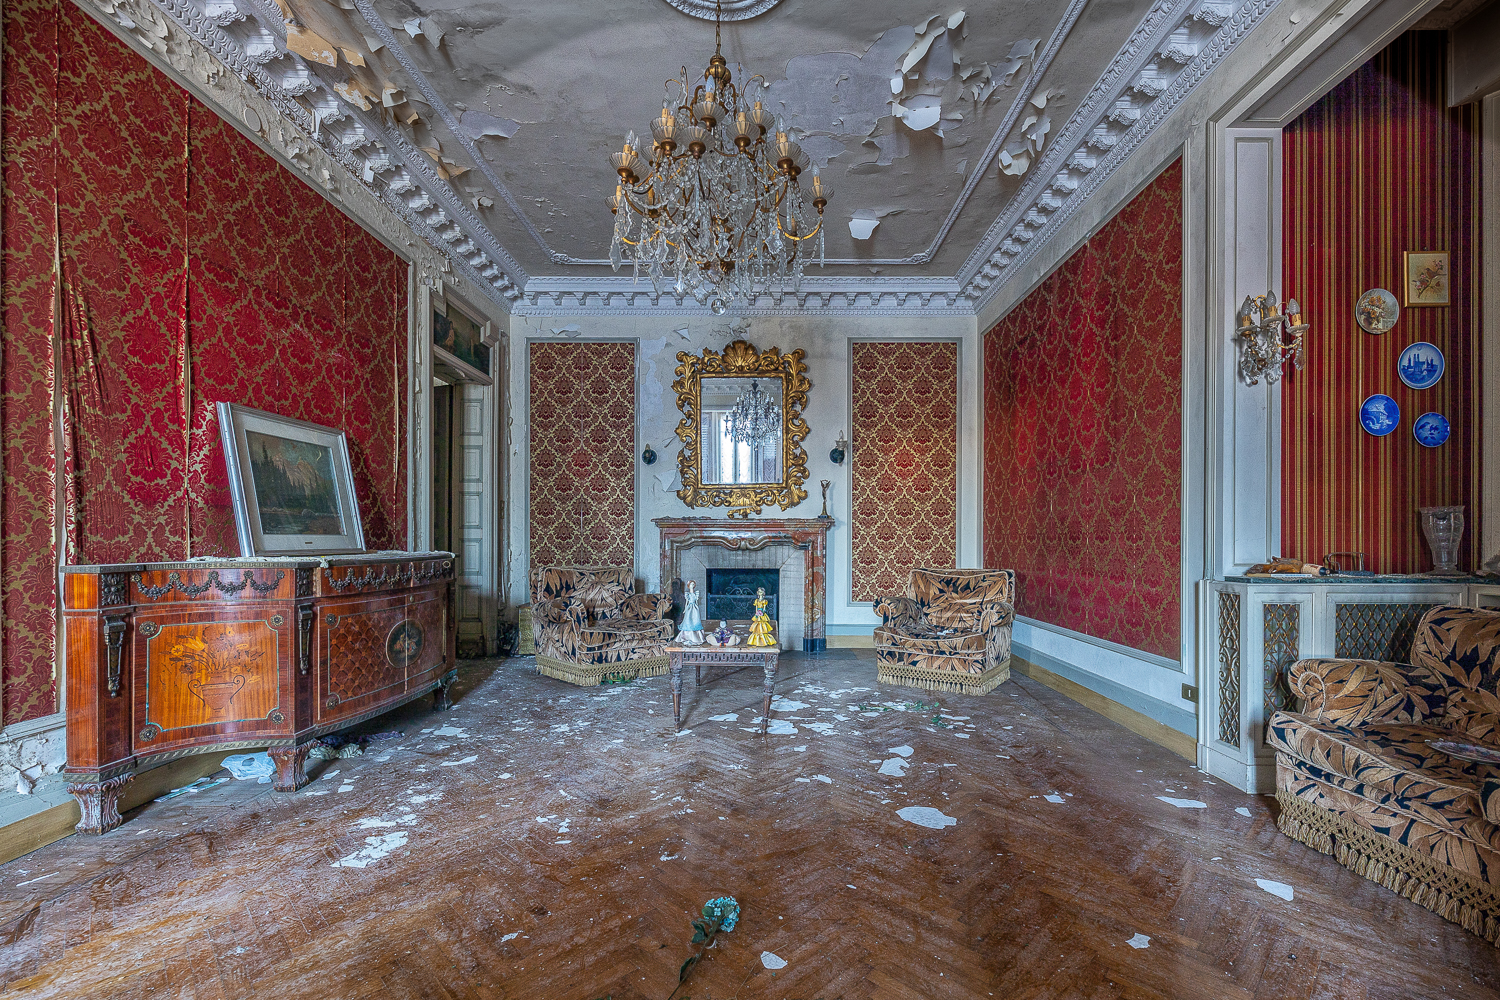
(742, 359)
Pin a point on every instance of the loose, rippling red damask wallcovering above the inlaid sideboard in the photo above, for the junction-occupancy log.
(196, 271)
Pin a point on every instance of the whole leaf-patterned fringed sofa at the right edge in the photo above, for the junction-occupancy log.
(1358, 777)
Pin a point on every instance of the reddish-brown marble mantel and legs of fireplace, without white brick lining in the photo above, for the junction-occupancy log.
(806, 534)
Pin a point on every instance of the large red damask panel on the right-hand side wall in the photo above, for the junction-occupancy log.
(1084, 433)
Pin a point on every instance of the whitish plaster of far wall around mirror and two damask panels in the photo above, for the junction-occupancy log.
(829, 368)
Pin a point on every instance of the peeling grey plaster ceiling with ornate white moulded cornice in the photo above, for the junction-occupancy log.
(496, 122)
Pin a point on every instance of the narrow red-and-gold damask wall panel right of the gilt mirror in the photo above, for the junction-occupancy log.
(905, 463)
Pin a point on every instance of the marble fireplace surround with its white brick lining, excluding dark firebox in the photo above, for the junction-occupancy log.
(794, 548)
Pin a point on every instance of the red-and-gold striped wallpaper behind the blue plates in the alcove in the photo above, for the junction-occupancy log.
(1379, 167)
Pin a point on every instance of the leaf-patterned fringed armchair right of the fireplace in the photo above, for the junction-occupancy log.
(950, 633)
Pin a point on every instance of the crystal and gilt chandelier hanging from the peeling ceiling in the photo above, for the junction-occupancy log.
(718, 212)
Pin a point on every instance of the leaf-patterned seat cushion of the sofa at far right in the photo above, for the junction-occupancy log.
(1397, 761)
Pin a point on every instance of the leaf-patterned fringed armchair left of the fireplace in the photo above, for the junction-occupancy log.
(589, 624)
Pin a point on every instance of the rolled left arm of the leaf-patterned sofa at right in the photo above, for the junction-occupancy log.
(1357, 692)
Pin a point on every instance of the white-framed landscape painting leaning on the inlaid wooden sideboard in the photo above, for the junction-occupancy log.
(308, 467)
